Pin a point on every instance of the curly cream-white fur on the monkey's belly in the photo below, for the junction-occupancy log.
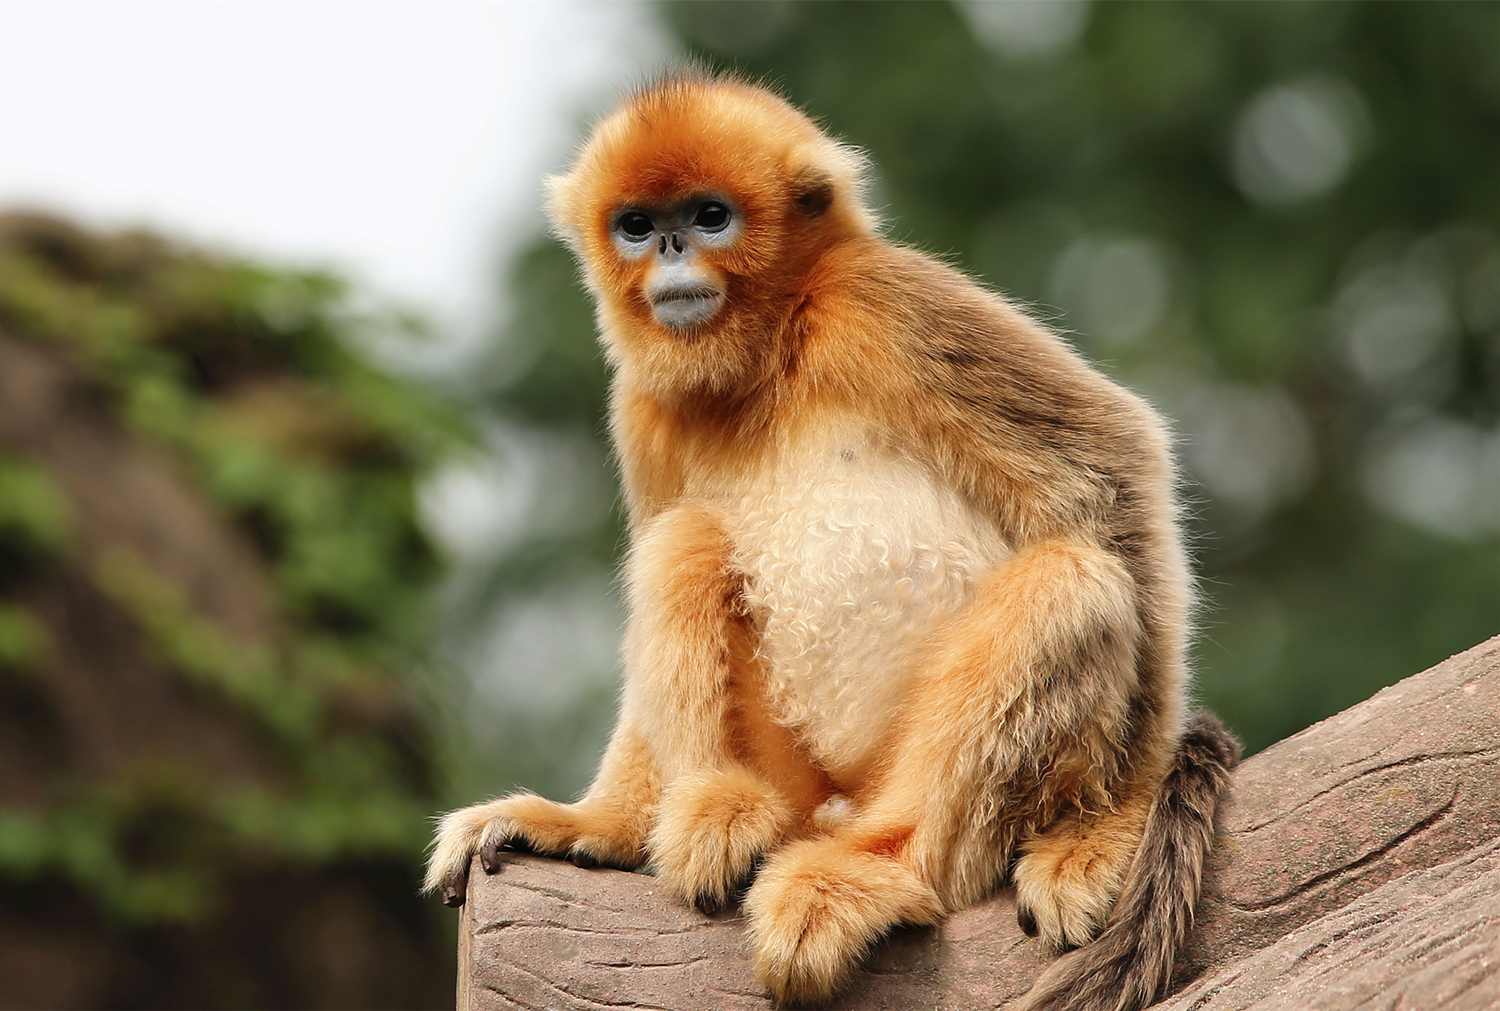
(853, 556)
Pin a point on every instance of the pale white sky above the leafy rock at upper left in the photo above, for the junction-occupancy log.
(400, 143)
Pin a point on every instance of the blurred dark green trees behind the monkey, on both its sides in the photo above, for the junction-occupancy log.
(1280, 223)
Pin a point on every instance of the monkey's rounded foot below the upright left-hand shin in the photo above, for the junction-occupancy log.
(712, 832)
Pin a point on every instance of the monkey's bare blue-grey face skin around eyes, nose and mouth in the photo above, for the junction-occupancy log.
(676, 245)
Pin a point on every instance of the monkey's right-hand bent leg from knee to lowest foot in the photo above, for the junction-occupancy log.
(1019, 715)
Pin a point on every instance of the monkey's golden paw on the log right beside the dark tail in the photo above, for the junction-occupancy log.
(1069, 878)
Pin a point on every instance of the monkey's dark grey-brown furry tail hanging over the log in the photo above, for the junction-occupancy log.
(1130, 964)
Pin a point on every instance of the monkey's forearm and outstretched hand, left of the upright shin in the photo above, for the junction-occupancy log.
(608, 827)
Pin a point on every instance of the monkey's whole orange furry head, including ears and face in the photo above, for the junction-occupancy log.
(700, 209)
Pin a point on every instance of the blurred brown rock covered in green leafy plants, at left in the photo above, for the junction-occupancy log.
(212, 584)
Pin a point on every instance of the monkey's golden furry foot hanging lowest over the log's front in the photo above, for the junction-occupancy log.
(818, 907)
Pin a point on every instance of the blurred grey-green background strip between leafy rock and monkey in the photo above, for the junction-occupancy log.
(539, 707)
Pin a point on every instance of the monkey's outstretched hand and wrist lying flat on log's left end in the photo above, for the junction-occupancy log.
(587, 833)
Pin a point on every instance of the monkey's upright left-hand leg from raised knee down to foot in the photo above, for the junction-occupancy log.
(691, 670)
